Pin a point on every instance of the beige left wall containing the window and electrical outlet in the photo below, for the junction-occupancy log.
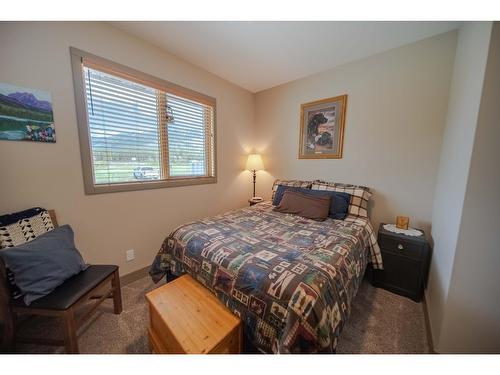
(36, 55)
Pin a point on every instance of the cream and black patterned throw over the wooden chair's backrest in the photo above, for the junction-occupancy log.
(19, 228)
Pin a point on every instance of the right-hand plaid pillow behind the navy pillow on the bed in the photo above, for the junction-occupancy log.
(360, 195)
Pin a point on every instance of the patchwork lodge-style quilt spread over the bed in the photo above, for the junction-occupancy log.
(291, 280)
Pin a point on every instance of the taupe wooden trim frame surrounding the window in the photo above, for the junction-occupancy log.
(78, 57)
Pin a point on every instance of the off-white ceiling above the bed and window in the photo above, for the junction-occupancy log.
(261, 55)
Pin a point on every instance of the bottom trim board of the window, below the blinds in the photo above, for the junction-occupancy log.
(146, 185)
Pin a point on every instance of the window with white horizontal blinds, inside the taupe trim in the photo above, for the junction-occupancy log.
(133, 140)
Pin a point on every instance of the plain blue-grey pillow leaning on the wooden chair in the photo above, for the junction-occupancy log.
(41, 265)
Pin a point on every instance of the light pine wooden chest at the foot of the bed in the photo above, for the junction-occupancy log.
(185, 317)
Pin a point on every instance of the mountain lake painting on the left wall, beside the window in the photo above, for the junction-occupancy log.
(26, 114)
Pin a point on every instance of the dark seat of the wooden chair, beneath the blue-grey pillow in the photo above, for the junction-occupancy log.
(73, 289)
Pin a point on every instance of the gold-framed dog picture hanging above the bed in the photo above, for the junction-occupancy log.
(322, 128)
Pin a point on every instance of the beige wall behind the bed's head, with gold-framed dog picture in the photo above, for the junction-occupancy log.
(396, 113)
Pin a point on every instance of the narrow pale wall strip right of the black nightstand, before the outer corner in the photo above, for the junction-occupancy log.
(456, 152)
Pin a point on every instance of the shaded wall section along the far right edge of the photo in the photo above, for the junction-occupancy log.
(471, 315)
